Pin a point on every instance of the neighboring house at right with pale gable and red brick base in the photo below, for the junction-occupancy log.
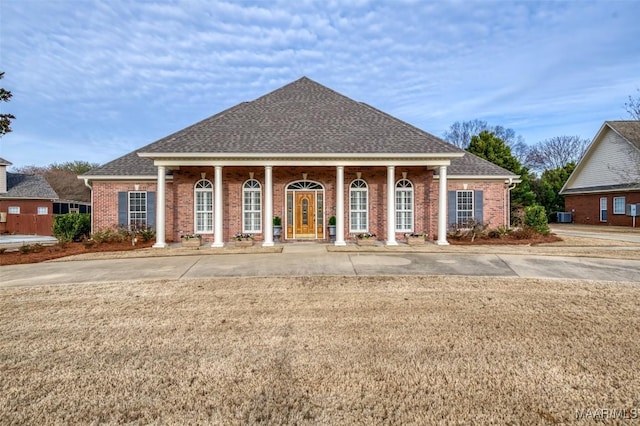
(607, 178)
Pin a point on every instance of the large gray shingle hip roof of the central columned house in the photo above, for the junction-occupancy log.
(302, 117)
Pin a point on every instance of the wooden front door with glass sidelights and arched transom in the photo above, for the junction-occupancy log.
(305, 211)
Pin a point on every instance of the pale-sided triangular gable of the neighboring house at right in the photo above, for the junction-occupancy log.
(612, 160)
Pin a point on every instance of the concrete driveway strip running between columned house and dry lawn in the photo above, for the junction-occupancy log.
(315, 260)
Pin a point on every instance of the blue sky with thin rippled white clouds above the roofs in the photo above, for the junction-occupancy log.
(94, 80)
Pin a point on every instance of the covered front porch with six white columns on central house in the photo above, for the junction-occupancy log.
(363, 196)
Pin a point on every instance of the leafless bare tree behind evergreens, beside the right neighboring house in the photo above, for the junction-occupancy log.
(556, 152)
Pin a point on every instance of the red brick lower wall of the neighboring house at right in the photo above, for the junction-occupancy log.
(586, 208)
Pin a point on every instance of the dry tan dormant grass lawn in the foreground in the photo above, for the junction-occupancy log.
(365, 350)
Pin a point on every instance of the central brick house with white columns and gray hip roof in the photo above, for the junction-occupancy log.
(304, 153)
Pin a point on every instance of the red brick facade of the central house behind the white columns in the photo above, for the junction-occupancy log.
(180, 197)
